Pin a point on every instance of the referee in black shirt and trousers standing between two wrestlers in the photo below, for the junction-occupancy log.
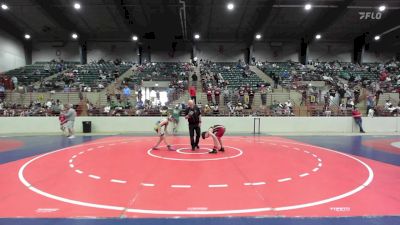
(193, 115)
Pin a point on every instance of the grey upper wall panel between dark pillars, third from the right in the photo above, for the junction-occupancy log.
(269, 51)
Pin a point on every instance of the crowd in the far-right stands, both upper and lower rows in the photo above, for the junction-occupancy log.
(346, 84)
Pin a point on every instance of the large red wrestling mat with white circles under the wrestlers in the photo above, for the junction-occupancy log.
(264, 176)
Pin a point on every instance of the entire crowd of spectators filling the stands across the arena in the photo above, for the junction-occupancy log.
(346, 85)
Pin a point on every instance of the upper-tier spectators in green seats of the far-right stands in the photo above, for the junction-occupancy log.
(289, 74)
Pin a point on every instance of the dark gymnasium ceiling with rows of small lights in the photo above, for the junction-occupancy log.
(159, 20)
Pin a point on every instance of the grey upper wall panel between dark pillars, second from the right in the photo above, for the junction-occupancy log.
(329, 51)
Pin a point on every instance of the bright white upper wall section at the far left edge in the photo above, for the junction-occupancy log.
(12, 53)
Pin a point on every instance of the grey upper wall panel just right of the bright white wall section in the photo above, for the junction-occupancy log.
(47, 51)
